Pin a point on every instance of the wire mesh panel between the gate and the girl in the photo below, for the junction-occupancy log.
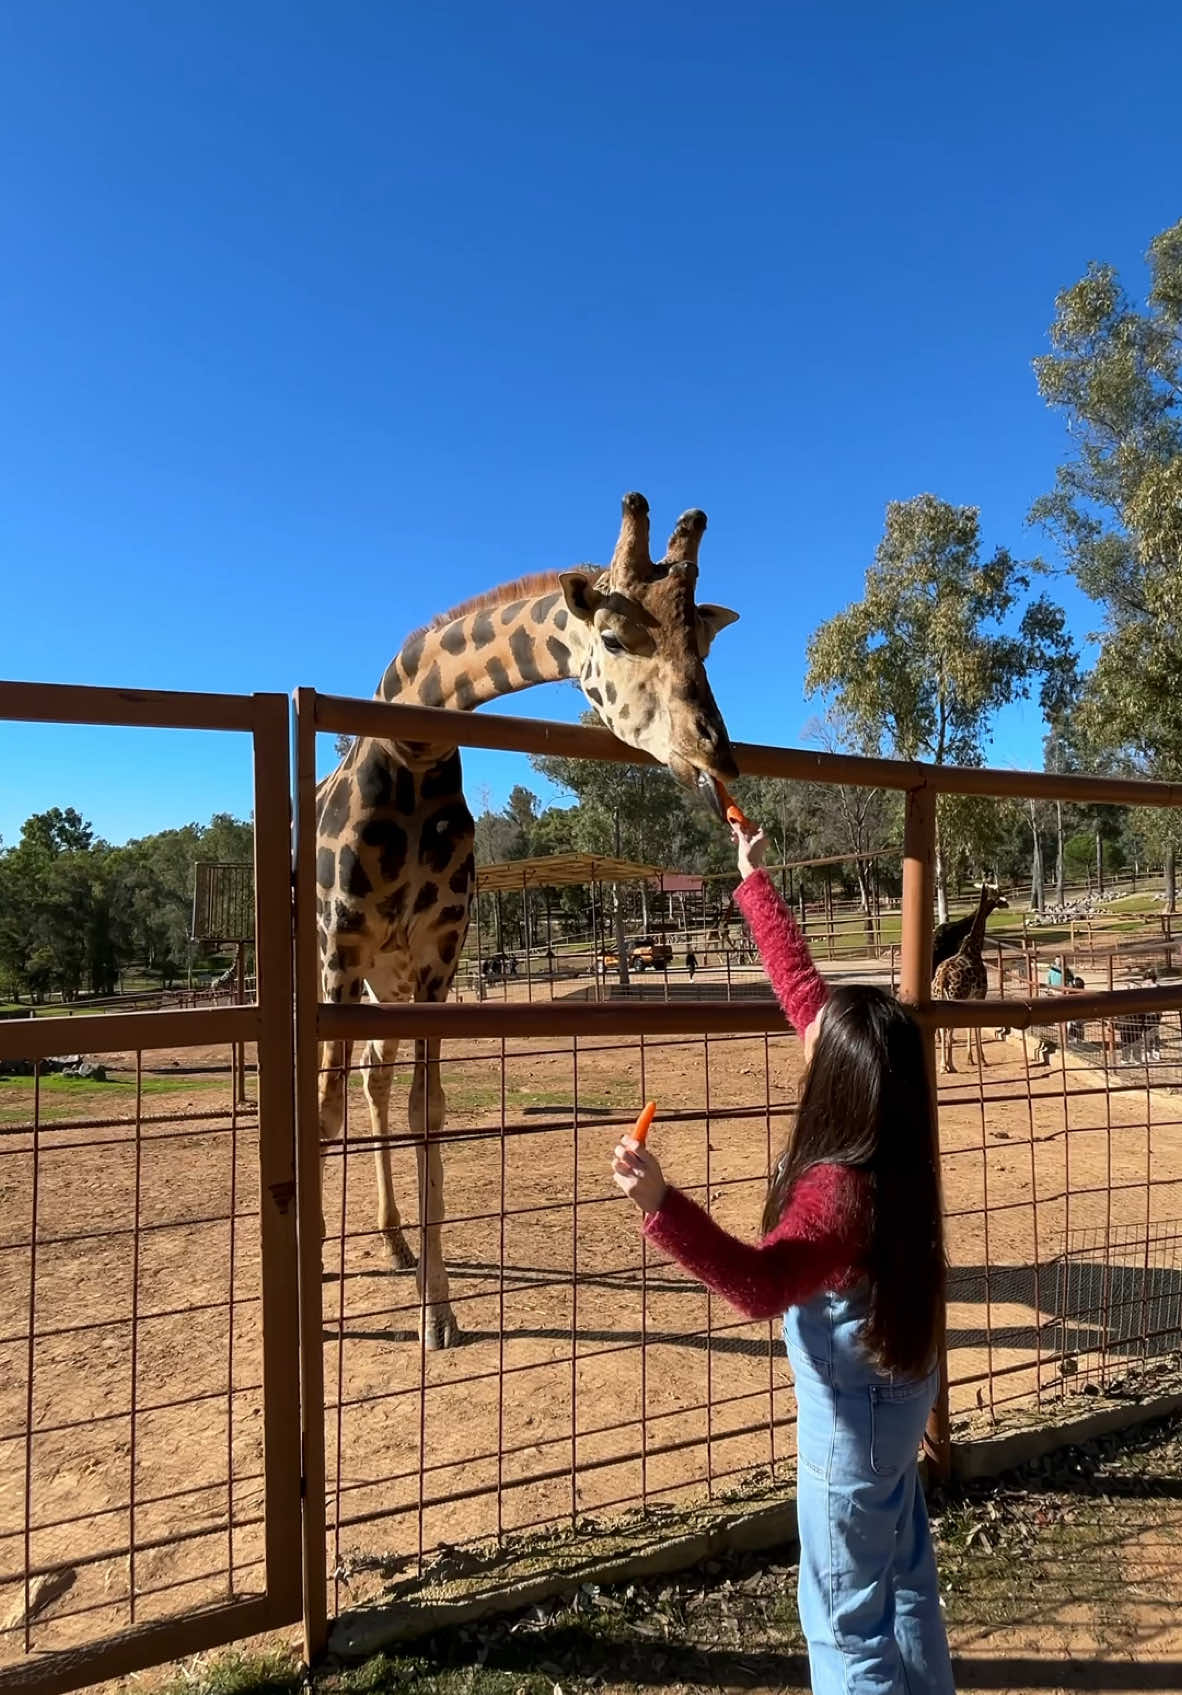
(593, 1375)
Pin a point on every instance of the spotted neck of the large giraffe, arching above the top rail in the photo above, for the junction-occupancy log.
(484, 653)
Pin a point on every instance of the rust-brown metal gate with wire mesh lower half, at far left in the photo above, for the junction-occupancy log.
(150, 1445)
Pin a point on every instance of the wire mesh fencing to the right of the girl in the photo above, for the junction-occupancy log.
(1062, 1174)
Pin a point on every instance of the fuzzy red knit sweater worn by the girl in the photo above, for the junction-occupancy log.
(822, 1238)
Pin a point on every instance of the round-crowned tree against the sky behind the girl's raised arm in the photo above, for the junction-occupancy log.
(925, 660)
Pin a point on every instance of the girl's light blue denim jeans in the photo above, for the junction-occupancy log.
(869, 1596)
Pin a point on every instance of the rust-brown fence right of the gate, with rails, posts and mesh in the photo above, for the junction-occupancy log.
(596, 1381)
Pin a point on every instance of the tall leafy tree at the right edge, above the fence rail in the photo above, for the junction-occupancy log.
(1115, 372)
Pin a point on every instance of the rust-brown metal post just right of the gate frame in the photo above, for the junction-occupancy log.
(308, 1179)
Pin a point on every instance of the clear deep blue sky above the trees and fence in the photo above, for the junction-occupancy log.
(318, 318)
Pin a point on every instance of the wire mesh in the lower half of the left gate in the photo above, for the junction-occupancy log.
(131, 1406)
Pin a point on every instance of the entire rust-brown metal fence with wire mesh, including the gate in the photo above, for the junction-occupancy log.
(593, 1377)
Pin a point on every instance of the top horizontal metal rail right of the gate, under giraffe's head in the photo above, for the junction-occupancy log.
(438, 726)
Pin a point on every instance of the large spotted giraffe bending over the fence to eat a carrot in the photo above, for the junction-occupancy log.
(396, 865)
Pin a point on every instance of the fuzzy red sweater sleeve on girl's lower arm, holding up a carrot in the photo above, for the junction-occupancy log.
(817, 1245)
